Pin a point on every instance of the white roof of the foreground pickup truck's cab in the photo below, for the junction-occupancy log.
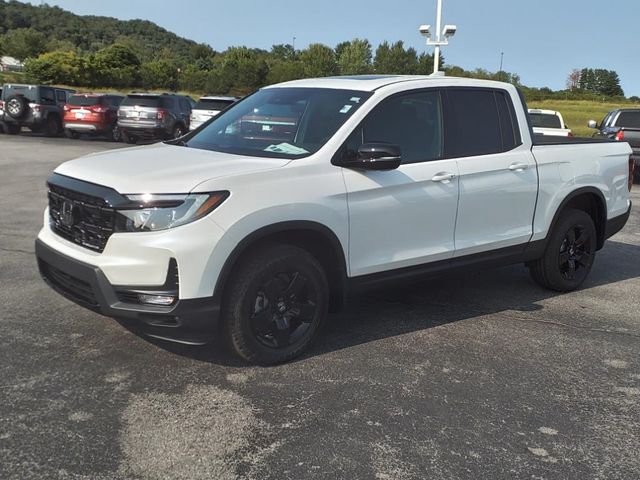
(370, 83)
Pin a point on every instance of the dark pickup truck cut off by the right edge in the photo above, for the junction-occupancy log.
(623, 125)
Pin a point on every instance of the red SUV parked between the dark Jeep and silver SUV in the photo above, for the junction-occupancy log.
(94, 114)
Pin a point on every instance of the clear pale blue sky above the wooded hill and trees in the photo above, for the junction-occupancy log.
(542, 40)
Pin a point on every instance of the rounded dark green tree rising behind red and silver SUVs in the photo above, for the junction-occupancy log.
(115, 66)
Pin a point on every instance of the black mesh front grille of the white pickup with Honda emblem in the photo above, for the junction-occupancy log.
(80, 218)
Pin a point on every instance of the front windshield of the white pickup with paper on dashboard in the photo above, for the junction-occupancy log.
(280, 122)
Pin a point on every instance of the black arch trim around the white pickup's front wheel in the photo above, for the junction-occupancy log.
(314, 237)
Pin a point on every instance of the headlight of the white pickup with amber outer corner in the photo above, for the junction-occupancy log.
(149, 213)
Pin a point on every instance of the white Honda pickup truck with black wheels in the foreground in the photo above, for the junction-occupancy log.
(260, 223)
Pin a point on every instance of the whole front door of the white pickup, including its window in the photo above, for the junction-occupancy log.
(402, 217)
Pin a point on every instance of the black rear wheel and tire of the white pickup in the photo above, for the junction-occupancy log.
(569, 255)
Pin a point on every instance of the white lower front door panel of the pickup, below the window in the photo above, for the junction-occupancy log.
(401, 217)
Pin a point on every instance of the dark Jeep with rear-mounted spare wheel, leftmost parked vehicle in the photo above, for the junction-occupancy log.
(37, 107)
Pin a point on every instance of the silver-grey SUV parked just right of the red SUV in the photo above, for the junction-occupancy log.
(153, 115)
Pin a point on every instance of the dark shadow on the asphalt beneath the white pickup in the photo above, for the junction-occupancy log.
(423, 305)
